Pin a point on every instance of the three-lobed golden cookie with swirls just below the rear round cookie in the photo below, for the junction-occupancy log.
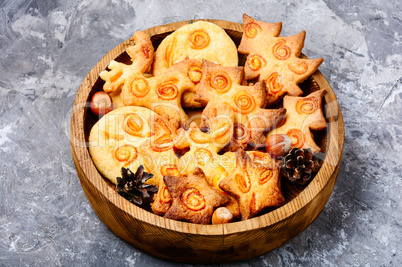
(162, 93)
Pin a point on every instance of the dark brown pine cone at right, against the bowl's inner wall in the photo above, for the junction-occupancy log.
(300, 165)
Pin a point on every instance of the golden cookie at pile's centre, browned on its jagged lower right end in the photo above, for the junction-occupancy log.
(221, 89)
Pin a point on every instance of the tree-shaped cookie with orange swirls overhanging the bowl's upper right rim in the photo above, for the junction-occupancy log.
(275, 60)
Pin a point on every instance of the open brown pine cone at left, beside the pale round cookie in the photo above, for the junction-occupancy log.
(133, 187)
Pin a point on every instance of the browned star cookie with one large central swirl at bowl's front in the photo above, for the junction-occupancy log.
(194, 200)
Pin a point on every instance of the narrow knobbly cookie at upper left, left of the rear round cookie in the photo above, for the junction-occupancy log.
(141, 54)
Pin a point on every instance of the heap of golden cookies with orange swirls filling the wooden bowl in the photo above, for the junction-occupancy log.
(219, 166)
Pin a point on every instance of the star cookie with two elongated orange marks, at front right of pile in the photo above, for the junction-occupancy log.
(255, 186)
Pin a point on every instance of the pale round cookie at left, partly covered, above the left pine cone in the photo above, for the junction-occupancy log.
(115, 140)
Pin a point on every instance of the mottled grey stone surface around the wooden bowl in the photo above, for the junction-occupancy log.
(48, 47)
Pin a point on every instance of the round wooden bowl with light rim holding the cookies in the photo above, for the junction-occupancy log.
(192, 243)
